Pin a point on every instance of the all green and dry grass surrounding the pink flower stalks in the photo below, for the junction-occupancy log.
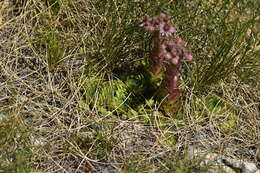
(73, 97)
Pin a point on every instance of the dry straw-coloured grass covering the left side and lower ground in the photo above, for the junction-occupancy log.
(46, 124)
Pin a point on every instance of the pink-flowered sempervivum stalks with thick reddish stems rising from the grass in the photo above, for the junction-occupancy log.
(167, 53)
